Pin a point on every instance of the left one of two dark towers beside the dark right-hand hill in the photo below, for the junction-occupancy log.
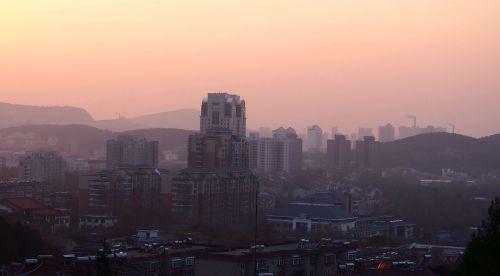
(339, 153)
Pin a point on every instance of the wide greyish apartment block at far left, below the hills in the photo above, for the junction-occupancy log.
(42, 166)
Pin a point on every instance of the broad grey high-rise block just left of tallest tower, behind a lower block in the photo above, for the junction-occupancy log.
(131, 151)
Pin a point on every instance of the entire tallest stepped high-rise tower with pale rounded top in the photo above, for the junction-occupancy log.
(217, 188)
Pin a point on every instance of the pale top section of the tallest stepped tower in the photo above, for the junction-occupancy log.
(223, 111)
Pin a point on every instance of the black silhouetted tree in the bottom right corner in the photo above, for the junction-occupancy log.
(483, 252)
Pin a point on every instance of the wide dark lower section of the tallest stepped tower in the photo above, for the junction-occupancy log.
(225, 196)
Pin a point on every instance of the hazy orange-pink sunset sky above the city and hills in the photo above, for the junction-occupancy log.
(345, 63)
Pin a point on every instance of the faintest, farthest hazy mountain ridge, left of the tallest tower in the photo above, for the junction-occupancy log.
(12, 115)
